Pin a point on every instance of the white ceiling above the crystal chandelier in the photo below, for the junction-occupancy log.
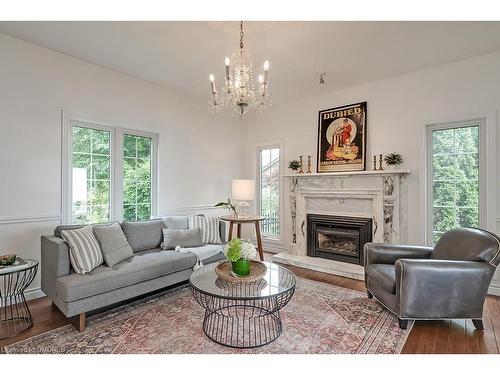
(181, 55)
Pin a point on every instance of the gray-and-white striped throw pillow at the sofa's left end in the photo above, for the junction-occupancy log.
(84, 251)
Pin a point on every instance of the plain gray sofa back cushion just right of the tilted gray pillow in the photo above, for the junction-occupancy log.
(143, 235)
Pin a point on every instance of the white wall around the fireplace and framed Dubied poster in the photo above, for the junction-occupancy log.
(398, 108)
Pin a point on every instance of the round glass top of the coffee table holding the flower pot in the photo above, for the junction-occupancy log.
(276, 281)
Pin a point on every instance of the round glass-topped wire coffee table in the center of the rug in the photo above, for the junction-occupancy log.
(243, 315)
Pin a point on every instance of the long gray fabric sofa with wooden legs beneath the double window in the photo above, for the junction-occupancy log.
(150, 269)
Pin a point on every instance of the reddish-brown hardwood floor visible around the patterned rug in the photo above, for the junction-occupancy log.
(440, 337)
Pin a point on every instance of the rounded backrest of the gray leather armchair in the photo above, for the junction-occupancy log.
(467, 244)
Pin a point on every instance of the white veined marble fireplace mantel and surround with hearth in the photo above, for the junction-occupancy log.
(379, 195)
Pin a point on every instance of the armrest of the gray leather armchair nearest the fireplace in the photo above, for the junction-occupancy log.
(389, 254)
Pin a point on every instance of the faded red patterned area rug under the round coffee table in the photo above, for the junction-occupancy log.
(320, 318)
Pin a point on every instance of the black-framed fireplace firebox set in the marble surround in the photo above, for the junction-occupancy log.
(338, 237)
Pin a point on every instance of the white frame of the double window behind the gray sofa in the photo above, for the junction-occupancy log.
(116, 164)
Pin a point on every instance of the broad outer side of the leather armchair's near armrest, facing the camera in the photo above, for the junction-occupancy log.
(432, 289)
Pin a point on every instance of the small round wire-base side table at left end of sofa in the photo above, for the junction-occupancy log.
(15, 315)
